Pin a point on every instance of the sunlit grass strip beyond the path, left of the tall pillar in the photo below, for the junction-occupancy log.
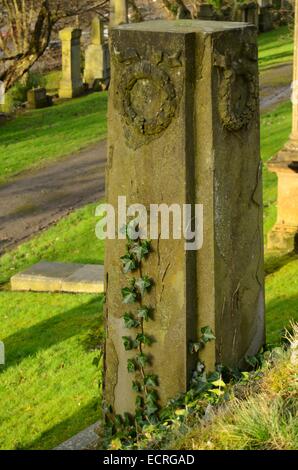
(39, 136)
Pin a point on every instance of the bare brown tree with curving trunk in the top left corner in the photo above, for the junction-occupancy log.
(26, 27)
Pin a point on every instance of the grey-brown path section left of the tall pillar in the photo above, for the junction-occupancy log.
(41, 197)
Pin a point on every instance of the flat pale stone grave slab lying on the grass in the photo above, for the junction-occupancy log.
(60, 277)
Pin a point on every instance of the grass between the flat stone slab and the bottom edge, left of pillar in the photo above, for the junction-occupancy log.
(48, 387)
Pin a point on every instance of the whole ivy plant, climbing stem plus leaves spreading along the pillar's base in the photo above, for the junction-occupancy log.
(136, 318)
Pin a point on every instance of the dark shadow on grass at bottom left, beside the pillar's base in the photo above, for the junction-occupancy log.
(61, 432)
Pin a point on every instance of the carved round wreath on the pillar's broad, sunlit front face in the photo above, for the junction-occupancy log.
(148, 97)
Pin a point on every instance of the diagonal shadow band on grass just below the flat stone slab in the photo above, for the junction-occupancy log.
(29, 341)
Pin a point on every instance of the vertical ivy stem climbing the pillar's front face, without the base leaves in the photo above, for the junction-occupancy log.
(144, 384)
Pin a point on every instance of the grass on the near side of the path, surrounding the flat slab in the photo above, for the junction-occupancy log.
(49, 386)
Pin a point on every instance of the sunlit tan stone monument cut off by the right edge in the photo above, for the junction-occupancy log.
(284, 235)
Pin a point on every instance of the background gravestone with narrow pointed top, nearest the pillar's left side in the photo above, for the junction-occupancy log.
(97, 58)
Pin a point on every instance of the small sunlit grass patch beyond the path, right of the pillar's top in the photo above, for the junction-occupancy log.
(275, 48)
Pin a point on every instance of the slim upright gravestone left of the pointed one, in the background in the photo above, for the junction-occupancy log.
(71, 83)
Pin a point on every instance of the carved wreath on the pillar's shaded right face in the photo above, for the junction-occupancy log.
(238, 93)
